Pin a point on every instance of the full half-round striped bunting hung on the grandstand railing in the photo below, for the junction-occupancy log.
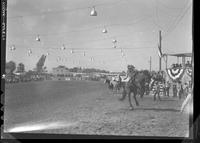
(175, 73)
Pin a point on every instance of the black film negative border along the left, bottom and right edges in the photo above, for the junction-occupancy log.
(194, 119)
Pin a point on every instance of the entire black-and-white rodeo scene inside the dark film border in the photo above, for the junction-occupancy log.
(99, 67)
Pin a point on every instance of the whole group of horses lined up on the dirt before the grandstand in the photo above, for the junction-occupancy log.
(142, 84)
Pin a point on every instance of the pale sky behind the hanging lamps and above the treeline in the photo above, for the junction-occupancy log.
(134, 24)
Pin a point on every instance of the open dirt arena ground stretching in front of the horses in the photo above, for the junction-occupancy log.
(88, 107)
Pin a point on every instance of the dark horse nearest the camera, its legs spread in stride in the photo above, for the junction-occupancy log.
(135, 86)
